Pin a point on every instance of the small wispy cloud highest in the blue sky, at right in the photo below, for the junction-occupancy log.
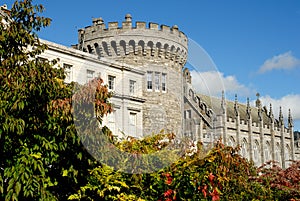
(284, 61)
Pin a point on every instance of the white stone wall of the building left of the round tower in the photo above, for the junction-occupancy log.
(124, 102)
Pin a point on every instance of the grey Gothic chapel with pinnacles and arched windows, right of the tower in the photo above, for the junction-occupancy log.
(255, 129)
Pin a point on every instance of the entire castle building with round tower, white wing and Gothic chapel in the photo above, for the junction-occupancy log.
(152, 91)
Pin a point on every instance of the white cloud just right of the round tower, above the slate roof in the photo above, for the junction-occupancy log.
(214, 82)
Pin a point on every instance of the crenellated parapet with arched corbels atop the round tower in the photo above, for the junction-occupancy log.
(140, 42)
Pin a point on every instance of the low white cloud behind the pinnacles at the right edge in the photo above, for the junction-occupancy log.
(287, 102)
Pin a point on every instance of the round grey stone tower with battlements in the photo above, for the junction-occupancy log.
(159, 51)
